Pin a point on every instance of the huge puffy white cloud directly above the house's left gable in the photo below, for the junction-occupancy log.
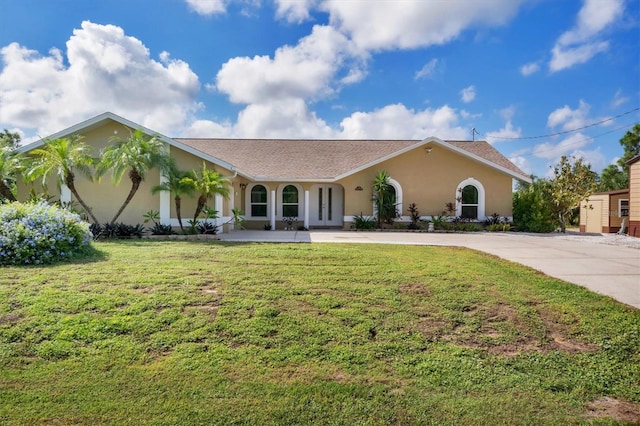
(106, 71)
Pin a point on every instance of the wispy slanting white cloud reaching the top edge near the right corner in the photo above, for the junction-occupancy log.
(579, 44)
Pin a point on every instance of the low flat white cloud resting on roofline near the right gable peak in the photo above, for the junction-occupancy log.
(398, 122)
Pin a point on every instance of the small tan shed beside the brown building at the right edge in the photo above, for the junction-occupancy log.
(604, 212)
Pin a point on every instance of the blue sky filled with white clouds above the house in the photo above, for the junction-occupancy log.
(532, 77)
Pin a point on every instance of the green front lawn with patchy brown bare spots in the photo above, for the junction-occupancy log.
(187, 333)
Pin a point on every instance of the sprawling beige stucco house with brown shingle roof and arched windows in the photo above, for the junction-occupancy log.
(321, 183)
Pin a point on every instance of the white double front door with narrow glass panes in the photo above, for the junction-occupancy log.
(326, 205)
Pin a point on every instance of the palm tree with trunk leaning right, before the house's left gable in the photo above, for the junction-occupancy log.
(136, 155)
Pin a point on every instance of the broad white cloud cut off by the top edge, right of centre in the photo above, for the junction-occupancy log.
(412, 24)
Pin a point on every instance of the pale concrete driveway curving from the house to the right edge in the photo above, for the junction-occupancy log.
(611, 270)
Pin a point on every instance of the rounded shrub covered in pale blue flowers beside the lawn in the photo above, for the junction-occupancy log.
(37, 233)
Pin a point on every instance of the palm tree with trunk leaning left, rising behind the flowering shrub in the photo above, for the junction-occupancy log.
(63, 157)
